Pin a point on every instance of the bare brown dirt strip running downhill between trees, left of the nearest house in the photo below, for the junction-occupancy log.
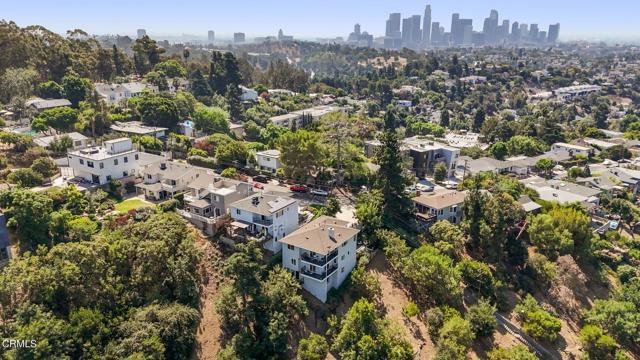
(208, 335)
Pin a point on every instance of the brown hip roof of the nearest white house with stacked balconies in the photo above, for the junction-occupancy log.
(321, 235)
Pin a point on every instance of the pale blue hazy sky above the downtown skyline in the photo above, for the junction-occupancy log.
(306, 18)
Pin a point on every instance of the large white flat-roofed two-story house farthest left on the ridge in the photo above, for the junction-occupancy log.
(116, 159)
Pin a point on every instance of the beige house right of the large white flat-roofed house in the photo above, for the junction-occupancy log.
(164, 179)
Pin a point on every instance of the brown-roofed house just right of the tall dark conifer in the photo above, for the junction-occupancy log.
(440, 205)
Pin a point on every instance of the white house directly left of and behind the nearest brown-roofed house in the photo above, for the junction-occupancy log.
(271, 216)
